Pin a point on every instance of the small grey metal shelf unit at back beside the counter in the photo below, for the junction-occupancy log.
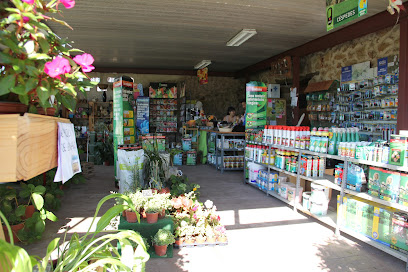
(221, 151)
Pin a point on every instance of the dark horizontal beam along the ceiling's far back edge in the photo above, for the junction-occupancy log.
(159, 71)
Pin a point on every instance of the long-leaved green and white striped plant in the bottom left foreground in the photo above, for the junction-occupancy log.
(83, 253)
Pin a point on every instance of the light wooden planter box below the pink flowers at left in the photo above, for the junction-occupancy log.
(28, 145)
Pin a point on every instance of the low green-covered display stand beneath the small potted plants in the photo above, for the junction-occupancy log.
(149, 230)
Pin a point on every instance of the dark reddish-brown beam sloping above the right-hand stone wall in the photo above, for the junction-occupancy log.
(361, 28)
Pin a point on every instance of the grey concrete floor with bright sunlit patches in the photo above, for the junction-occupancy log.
(264, 233)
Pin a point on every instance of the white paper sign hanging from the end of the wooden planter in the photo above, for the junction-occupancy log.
(68, 158)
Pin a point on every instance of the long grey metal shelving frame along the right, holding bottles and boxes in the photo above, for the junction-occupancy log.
(328, 181)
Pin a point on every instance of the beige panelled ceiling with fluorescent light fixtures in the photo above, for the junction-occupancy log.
(177, 34)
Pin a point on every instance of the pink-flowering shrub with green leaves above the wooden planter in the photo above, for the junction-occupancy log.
(38, 66)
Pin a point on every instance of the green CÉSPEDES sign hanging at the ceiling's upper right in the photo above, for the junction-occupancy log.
(344, 12)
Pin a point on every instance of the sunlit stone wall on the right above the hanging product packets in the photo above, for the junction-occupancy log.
(371, 47)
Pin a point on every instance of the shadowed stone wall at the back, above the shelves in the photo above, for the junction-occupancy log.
(216, 96)
